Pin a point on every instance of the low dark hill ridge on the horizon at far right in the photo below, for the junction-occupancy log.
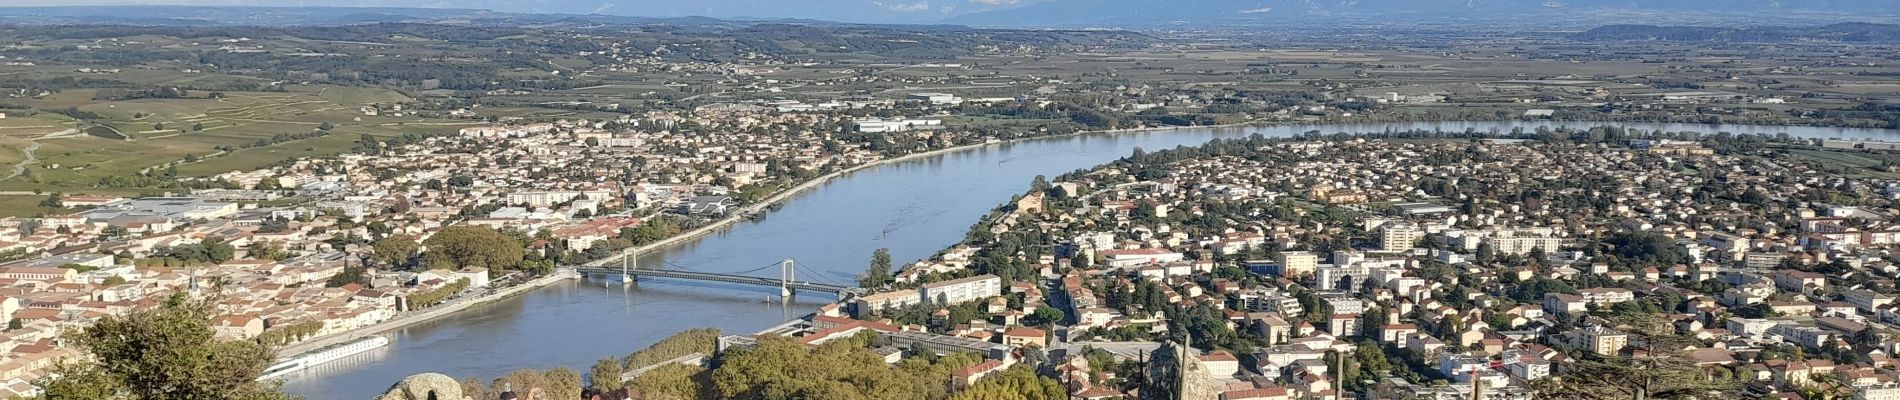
(1833, 33)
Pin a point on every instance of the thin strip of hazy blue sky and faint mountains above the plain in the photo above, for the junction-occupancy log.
(1103, 12)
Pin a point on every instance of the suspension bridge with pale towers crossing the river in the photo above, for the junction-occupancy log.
(628, 272)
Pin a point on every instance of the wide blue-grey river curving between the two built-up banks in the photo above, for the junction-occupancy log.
(915, 208)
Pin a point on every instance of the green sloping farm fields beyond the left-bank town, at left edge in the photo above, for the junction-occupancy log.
(227, 132)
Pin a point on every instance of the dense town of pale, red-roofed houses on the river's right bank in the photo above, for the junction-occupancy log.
(1416, 266)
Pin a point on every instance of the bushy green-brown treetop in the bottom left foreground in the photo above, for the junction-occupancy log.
(164, 354)
